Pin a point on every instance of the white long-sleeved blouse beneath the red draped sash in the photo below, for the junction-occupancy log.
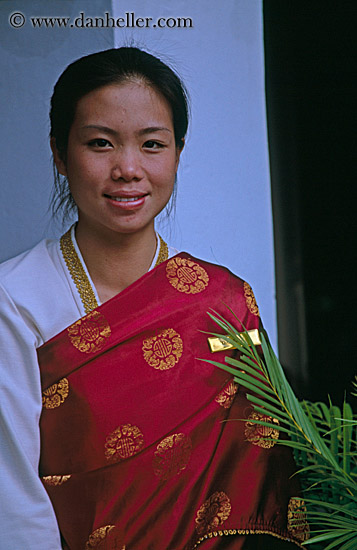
(38, 299)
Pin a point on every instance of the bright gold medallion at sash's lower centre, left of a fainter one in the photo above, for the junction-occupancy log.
(124, 442)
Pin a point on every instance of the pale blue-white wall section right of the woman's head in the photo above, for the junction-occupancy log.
(224, 206)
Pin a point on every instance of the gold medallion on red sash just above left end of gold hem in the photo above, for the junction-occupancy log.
(213, 513)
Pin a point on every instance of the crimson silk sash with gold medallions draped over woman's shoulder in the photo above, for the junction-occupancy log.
(139, 447)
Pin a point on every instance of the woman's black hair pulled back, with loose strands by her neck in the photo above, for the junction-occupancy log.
(100, 69)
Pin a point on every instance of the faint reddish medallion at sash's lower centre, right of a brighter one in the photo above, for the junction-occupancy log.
(172, 456)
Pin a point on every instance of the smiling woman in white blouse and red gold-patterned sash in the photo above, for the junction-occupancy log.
(106, 323)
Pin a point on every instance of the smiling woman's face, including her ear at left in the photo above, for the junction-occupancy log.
(121, 158)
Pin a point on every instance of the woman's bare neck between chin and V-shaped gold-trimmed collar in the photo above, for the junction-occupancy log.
(115, 261)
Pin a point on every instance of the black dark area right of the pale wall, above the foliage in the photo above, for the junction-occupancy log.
(311, 90)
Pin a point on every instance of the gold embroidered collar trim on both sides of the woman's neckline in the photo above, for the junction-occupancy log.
(79, 276)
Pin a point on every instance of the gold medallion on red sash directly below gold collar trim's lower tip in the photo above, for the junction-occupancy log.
(89, 334)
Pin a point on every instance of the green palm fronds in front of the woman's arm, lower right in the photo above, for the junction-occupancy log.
(323, 438)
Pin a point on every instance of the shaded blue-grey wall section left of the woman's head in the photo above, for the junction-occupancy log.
(31, 60)
